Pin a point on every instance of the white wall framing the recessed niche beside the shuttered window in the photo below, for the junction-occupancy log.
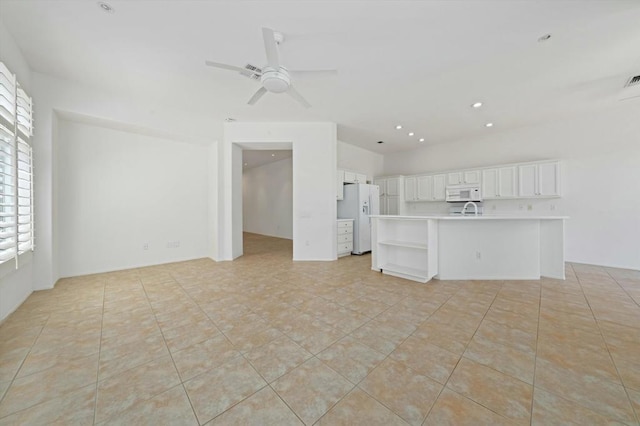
(53, 96)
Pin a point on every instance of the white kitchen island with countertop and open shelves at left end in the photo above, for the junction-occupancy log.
(486, 247)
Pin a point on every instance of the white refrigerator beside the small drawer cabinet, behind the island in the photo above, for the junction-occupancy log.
(360, 201)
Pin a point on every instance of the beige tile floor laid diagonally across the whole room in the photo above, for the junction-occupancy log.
(264, 340)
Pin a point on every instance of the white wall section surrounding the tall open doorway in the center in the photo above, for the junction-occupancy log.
(314, 176)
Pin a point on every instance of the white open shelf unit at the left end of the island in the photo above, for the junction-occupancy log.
(405, 247)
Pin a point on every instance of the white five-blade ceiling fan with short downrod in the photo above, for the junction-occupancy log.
(273, 77)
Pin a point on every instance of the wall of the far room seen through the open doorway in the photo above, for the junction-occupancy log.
(267, 199)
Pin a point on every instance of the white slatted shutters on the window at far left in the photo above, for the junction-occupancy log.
(16, 168)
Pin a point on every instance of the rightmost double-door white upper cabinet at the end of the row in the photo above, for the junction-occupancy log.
(539, 180)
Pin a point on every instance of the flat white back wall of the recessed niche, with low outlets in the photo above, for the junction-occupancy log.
(118, 191)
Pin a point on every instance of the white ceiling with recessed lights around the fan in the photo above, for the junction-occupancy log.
(420, 64)
